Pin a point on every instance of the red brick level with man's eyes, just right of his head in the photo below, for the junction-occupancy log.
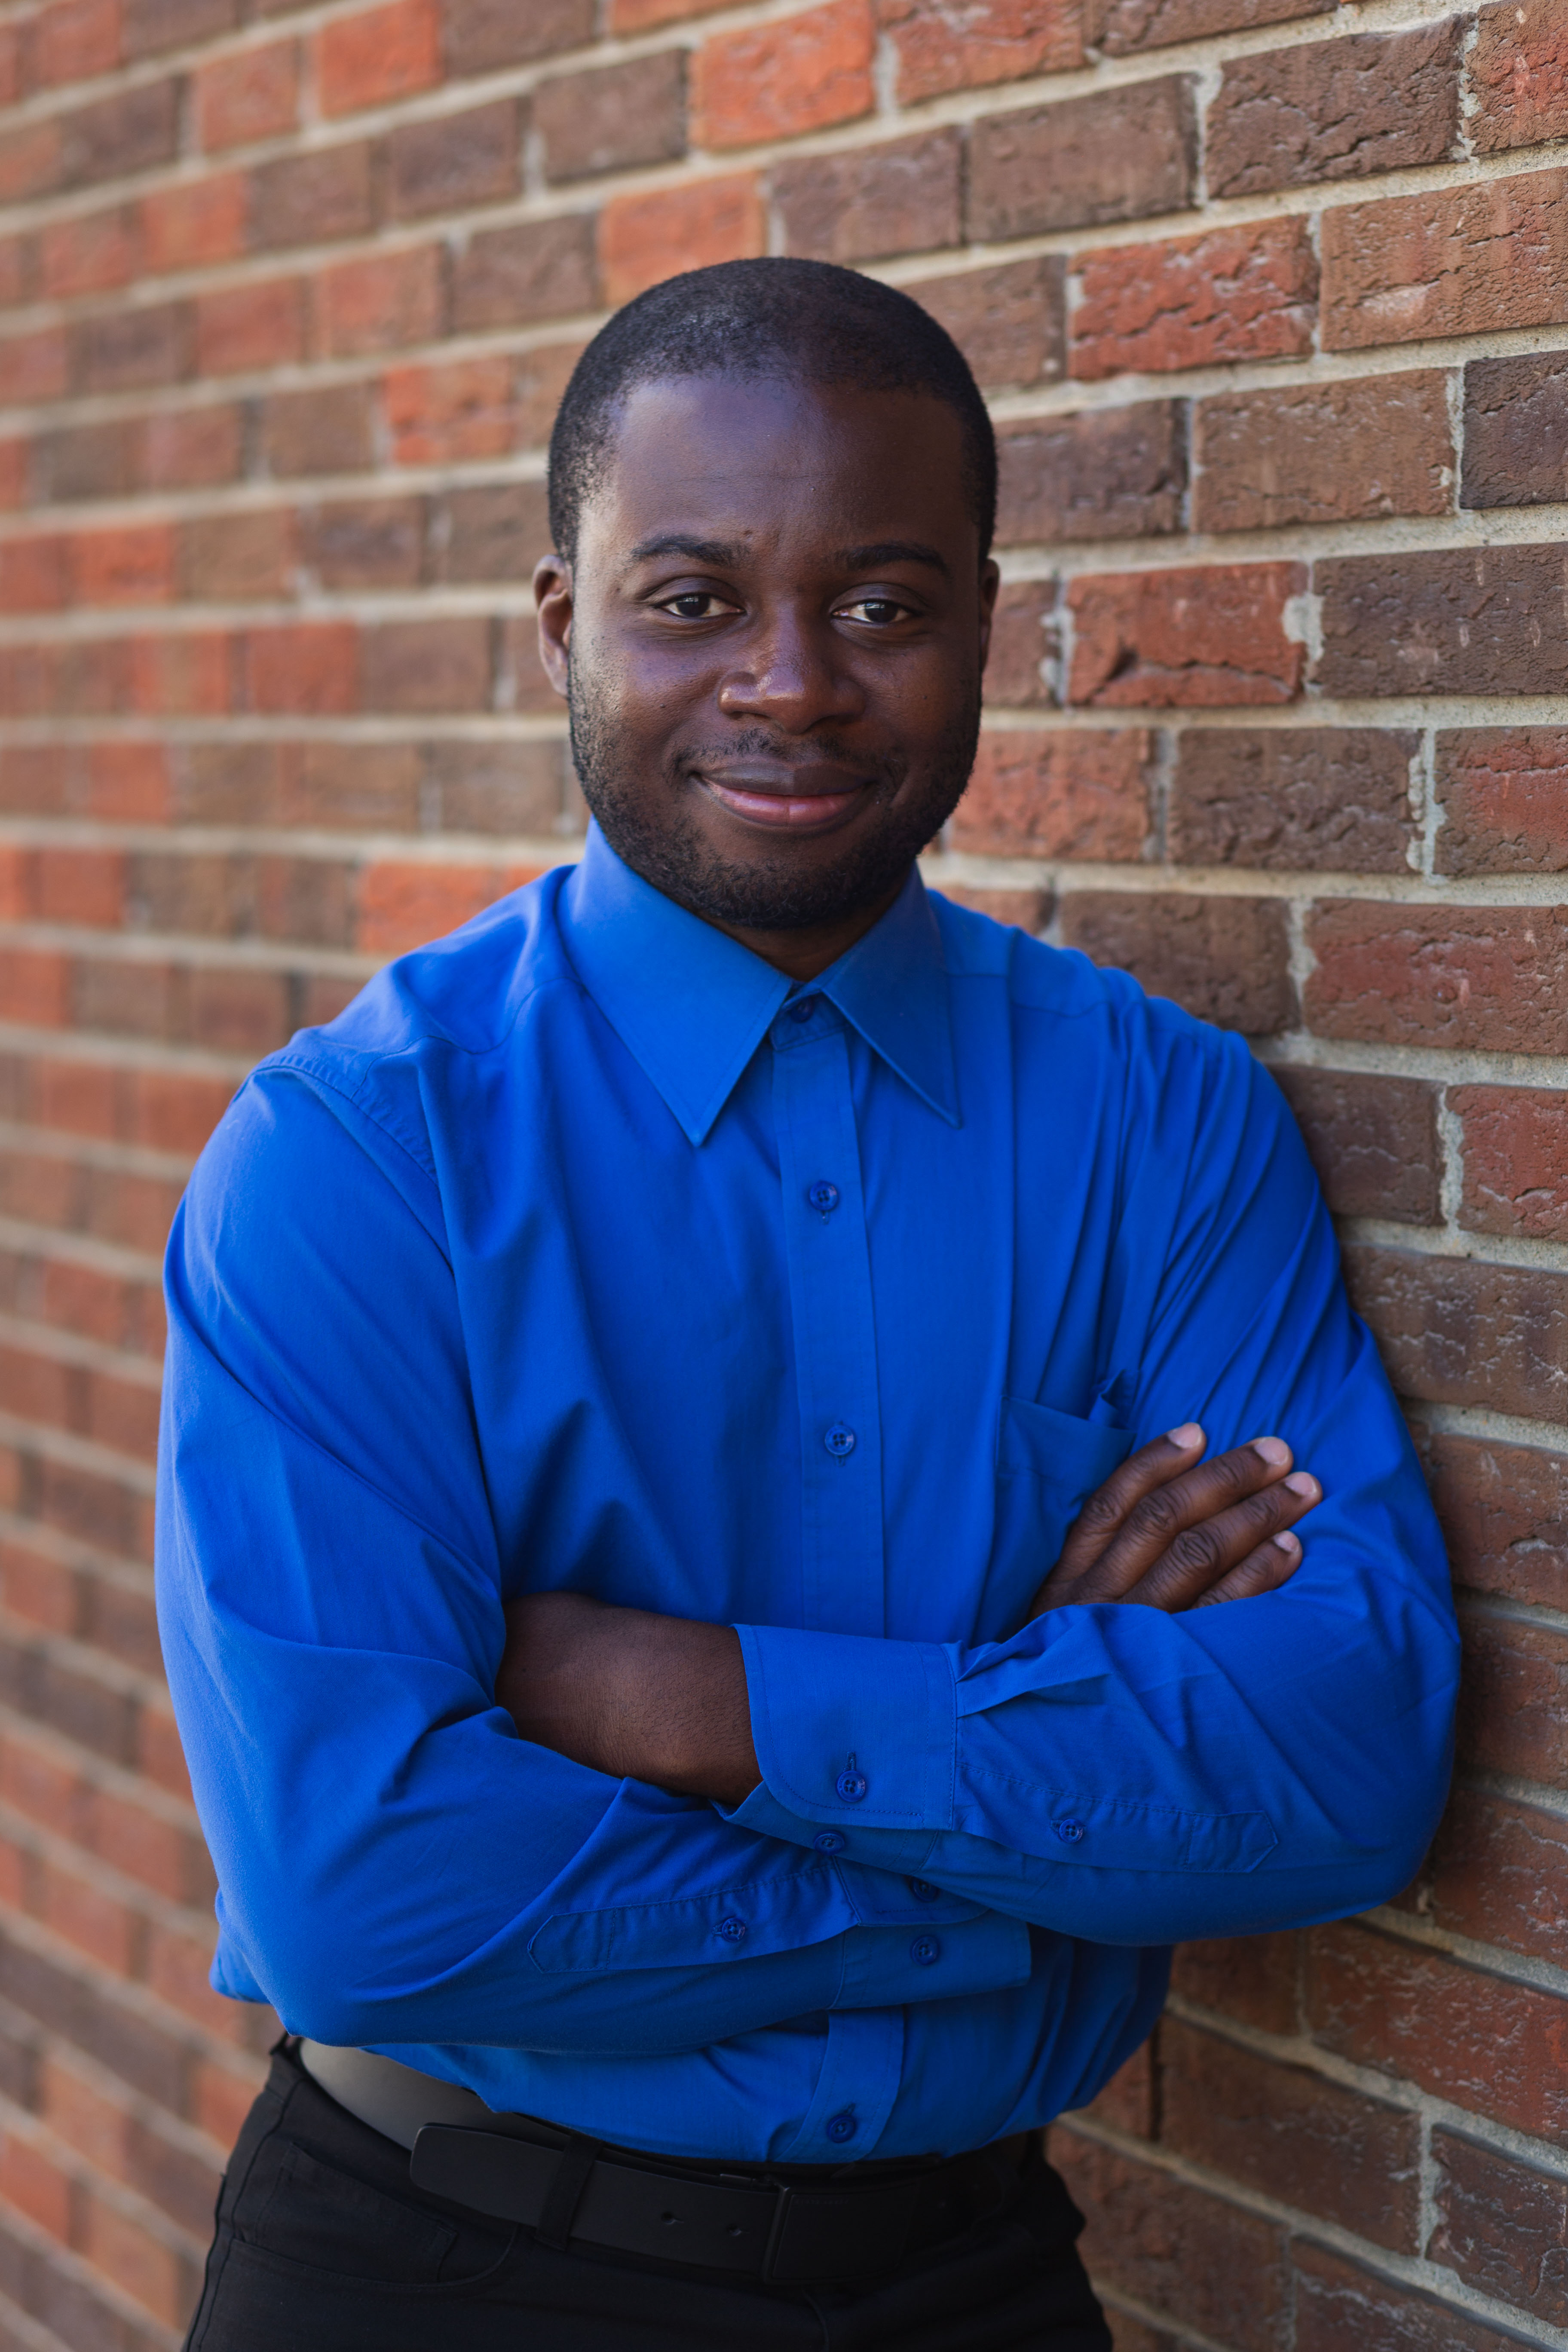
(1186, 639)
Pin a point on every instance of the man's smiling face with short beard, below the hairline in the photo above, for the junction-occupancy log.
(772, 646)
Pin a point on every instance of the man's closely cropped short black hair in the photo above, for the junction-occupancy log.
(793, 321)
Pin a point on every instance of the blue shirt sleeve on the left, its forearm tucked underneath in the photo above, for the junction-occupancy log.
(396, 1864)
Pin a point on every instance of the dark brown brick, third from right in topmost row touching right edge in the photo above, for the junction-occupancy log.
(1113, 156)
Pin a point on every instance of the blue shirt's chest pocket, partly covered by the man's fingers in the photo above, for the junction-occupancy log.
(1047, 1469)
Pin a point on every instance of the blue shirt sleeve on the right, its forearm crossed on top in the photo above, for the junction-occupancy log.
(1134, 1777)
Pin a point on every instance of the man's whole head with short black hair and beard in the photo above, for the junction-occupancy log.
(772, 490)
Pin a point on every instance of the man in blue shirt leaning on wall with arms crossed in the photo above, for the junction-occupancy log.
(683, 1760)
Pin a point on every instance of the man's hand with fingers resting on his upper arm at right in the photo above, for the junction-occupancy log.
(1174, 1532)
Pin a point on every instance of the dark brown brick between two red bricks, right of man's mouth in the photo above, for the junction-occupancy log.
(1292, 799)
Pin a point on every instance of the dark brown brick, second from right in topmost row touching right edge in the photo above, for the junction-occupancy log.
(1334, 109)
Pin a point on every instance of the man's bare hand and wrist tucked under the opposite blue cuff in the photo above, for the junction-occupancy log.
(631, 1695)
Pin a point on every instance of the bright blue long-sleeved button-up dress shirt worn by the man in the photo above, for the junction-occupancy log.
(582, 1252)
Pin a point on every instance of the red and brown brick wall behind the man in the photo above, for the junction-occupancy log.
(1273, 300)
